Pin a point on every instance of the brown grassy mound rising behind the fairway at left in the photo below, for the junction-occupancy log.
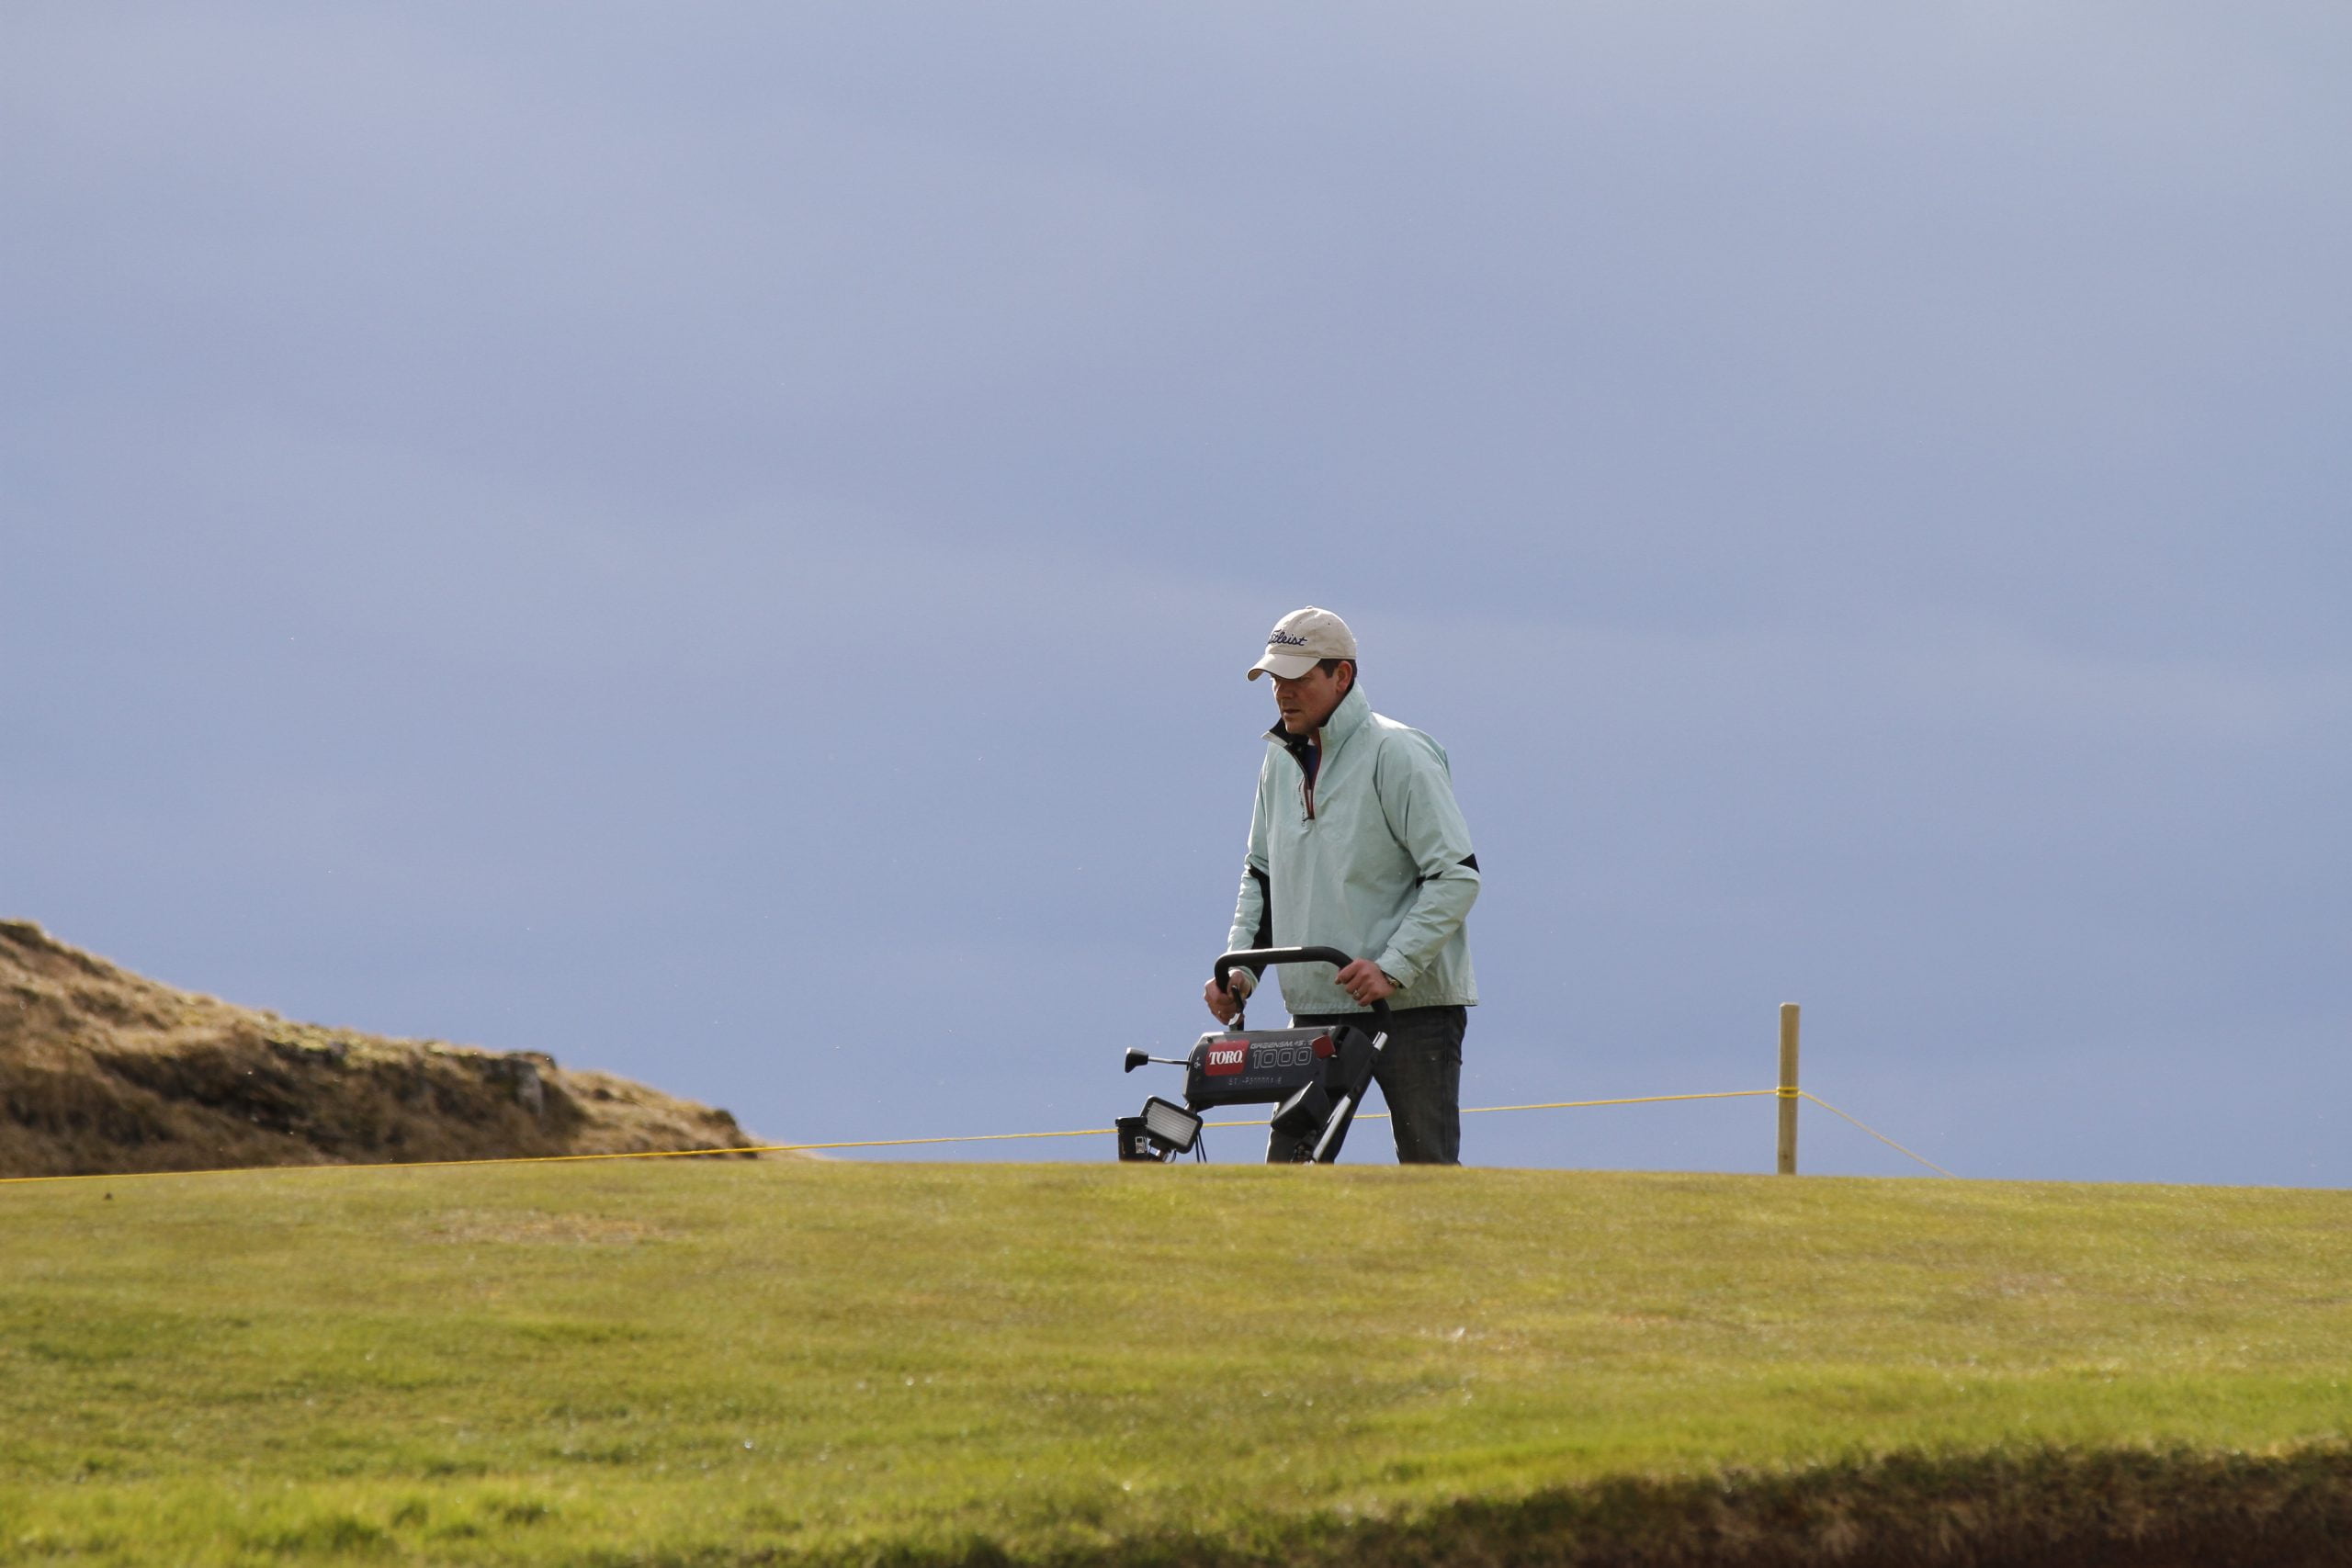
(105, 1071)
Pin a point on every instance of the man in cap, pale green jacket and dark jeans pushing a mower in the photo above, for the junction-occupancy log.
(1358, 845)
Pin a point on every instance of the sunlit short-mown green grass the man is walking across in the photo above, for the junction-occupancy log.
(711, 1362)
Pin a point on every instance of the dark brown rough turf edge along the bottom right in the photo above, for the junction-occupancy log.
(2033, 1508)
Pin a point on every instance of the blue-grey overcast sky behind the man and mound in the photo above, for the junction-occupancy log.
(721, 544)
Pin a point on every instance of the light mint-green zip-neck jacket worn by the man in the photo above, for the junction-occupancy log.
(1372, 862)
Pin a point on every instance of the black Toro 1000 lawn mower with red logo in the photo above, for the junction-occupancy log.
(1311, 1078)
